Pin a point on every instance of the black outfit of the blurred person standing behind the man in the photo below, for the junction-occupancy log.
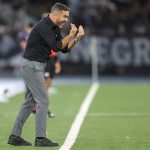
(50, 67)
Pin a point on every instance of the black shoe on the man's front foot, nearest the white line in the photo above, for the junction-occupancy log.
(44, 142)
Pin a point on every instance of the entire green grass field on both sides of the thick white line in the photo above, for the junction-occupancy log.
(118, 119)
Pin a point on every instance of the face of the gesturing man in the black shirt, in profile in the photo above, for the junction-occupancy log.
(62, 18)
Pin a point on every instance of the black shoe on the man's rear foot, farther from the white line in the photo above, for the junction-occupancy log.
(17, 141)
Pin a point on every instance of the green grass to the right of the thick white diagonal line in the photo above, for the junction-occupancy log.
(102, 132)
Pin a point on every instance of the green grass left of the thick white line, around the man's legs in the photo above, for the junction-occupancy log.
(65, 105)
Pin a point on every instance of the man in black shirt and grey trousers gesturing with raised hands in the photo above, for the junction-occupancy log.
(43, 37)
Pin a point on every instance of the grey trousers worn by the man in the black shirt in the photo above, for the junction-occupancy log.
(33, 75)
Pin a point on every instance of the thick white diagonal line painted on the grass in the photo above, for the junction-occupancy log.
(75, 128)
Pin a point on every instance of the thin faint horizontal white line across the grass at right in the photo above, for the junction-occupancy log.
(119, 114)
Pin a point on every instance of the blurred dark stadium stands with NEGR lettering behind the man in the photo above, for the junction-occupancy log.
(116, 42)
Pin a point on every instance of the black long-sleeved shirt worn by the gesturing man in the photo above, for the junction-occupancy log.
(44, 37)
